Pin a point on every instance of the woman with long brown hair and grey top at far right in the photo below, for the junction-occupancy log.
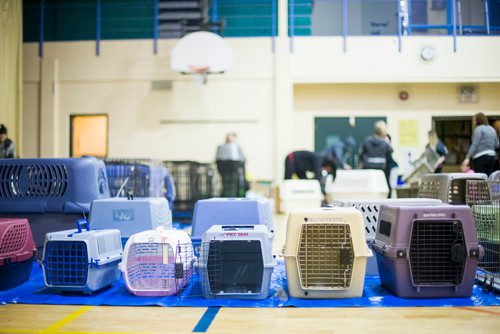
(482, 154)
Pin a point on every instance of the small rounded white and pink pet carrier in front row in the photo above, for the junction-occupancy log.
(158, 262)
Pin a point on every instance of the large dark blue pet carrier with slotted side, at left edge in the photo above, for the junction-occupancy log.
(51, 185)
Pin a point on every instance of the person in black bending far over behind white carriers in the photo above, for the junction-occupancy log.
(300, 162)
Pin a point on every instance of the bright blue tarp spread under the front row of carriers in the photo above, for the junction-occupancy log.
(374, 295)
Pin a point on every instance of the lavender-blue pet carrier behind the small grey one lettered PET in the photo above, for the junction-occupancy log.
(231, 211)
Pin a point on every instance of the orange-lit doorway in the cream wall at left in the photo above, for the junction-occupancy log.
(89, 135)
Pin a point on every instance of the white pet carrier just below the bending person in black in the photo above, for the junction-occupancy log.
(296, 194)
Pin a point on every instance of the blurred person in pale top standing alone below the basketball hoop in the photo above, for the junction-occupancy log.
(230, 162)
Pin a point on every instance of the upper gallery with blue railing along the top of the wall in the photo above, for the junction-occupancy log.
(69, 20)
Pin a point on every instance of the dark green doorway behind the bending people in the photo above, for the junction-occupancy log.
(328, 130)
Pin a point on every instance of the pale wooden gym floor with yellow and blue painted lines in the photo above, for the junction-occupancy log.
(106, 319)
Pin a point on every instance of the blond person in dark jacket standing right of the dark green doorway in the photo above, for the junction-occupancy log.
(376, 152)
